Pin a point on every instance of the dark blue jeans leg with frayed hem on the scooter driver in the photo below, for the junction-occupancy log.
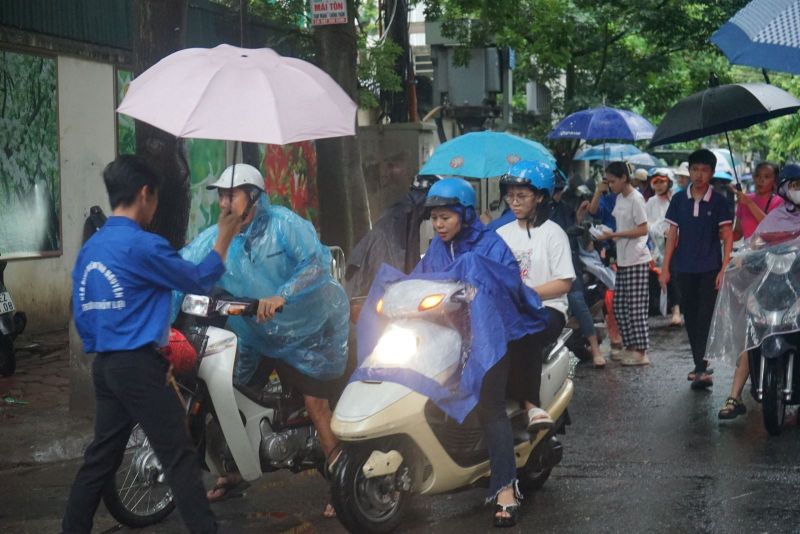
(497, 429)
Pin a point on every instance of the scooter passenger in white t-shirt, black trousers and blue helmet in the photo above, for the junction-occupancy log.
(542, 251)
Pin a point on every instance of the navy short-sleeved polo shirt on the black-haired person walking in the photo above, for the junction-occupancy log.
(699, 249)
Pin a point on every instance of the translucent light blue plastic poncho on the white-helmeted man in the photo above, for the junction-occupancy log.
(279, 254)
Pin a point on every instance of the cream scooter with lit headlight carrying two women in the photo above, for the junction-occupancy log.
(397, 443)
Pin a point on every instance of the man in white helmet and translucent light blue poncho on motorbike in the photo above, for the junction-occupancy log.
(278, 259)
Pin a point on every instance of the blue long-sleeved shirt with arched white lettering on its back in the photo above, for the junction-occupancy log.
(122, 286)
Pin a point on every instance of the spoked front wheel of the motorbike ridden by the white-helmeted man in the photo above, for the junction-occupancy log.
(139, 496)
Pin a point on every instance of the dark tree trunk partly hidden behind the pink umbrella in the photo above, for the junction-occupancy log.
(159, 31)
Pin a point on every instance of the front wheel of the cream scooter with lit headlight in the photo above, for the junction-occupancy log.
(371, 505)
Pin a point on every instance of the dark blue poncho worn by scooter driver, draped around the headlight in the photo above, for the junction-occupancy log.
(503, 309)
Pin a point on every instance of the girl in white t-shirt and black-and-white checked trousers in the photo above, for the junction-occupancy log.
(631, 291)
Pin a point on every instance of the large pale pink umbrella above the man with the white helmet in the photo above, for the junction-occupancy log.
(240, 94)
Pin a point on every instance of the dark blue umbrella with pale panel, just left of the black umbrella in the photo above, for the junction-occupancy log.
(603, 123)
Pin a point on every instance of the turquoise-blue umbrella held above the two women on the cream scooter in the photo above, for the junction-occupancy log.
(483, 155)
